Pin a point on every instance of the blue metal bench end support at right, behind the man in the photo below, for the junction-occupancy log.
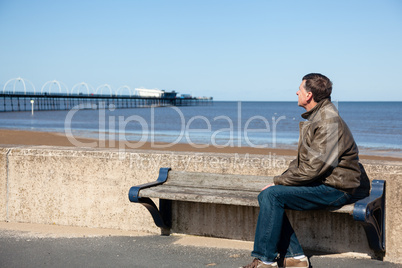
(371, 213)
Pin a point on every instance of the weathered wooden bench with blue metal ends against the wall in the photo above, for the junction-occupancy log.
(243, 190)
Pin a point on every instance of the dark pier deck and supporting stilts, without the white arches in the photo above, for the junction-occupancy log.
(27, 101)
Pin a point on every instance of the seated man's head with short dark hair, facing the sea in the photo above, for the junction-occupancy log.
(314, 88)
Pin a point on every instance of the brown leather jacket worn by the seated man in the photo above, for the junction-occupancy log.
(327, 152)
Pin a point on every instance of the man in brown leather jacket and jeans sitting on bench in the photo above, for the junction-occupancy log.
(324, 174)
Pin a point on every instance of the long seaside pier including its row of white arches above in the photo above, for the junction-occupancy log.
(20, 95)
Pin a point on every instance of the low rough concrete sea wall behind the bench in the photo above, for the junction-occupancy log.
(85, 187)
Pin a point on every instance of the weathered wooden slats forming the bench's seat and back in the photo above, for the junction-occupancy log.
(213, 188)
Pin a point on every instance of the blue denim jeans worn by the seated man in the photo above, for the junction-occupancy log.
(274, 234)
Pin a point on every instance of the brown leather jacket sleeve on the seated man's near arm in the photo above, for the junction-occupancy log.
(317, 155)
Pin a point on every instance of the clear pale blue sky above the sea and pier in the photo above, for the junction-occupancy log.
(231, 50)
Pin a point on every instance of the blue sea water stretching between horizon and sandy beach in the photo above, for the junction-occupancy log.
(376, 126)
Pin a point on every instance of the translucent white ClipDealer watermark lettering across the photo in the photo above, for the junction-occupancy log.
(147, 129)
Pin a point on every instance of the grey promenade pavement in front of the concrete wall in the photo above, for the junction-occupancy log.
(29, 245)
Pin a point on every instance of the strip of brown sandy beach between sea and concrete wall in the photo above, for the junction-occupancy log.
(22, 137)
